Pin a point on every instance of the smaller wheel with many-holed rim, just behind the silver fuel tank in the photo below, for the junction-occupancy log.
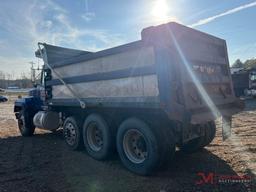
(72, 133)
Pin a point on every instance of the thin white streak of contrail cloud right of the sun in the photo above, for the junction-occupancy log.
(228, 12)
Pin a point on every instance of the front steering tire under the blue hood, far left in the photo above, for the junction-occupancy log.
(25, 124)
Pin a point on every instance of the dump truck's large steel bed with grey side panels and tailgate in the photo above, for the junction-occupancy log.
(173, 68)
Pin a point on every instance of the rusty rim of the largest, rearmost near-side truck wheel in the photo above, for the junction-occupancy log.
(134, 145)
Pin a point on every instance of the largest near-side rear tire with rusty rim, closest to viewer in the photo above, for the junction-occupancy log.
(144, 154)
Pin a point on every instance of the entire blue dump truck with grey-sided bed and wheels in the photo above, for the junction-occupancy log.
(142, 99)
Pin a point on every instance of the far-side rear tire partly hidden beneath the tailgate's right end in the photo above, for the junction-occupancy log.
(199, 143)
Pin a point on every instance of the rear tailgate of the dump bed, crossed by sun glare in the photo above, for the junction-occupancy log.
(205, 74)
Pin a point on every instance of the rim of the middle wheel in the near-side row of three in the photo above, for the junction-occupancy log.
(94, 137)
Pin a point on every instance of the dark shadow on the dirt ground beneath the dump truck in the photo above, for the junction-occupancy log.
(44, 163)
